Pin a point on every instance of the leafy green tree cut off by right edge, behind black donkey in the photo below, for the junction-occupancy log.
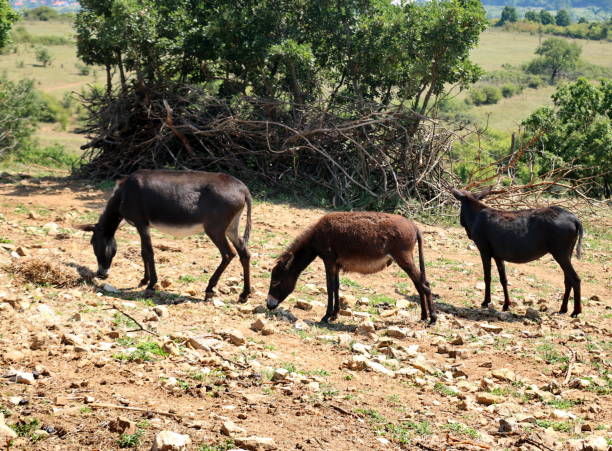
(577, 130)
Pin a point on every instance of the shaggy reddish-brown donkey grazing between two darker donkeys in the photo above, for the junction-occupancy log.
(354, 242)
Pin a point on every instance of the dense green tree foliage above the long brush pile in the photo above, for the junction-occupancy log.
(311, 51)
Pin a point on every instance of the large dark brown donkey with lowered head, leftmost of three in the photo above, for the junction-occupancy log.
(181, 203)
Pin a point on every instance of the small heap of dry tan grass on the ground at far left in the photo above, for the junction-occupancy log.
(42, 271)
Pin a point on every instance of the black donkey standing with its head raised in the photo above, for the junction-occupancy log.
(520, 237)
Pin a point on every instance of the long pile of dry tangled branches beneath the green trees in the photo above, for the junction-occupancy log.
(375, 159)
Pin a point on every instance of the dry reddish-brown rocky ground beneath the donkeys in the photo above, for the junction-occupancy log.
(221, 375)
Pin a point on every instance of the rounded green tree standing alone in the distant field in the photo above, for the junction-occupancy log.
(558, 56)
